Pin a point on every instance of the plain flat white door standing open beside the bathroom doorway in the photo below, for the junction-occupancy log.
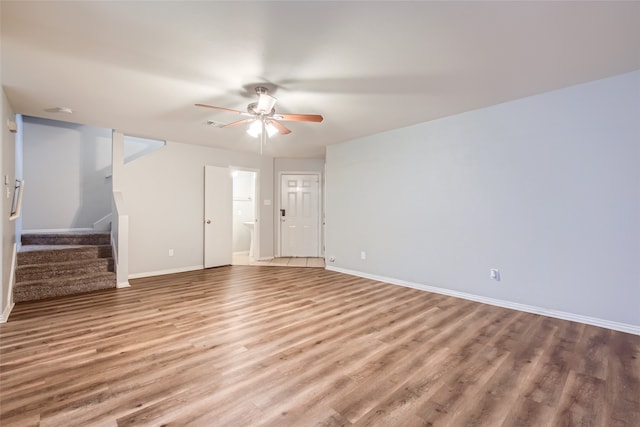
(218, 218)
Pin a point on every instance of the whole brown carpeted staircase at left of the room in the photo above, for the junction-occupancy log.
(57, 264)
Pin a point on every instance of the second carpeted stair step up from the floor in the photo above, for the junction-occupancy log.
(27, 272)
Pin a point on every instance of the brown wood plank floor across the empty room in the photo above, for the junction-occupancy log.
(274, 346)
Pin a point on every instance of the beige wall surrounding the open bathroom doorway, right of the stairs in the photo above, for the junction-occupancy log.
(164, 196)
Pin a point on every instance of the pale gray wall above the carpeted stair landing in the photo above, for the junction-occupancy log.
(68, 168)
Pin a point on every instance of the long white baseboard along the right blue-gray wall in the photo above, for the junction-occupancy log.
(603, 323)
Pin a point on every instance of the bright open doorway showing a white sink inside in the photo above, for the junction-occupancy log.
(245, 217)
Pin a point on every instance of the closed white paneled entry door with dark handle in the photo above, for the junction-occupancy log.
(300, 215)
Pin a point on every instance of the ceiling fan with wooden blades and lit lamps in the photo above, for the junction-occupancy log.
(263, 117)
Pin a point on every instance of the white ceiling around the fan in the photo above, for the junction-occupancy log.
(365, 66)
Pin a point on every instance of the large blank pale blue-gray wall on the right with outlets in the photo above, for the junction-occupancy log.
(546, 189)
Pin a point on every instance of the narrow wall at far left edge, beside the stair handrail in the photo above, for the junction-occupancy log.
(7, 159)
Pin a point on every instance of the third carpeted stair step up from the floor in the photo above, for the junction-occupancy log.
(49, 254)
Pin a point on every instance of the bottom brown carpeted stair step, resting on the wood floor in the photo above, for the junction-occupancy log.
(56, 287)
